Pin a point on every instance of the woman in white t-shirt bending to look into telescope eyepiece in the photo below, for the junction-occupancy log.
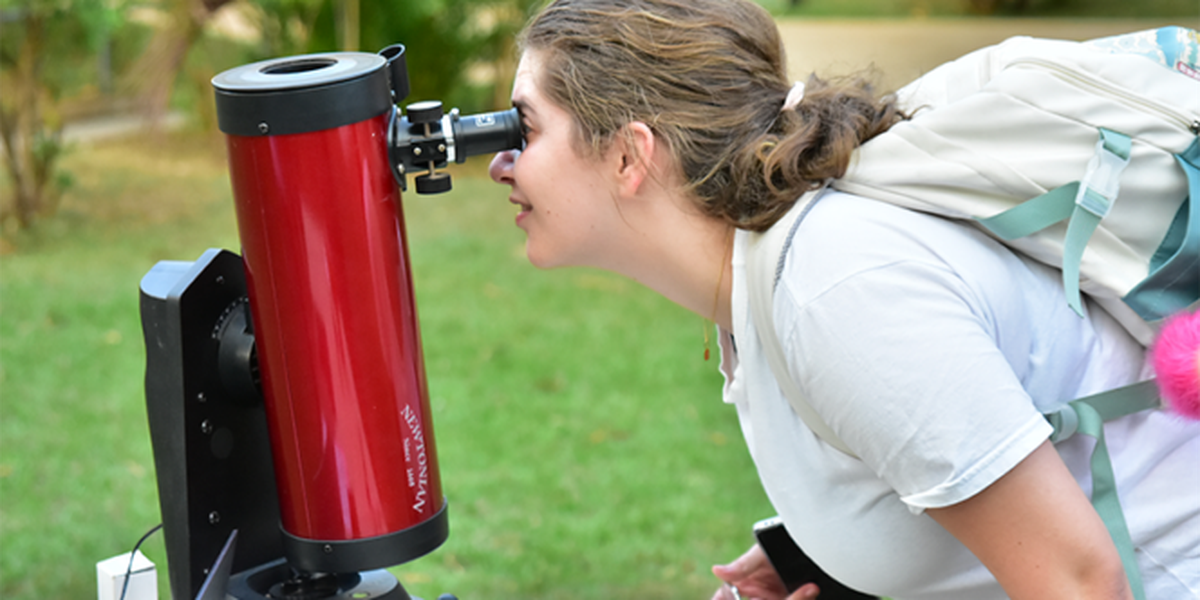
(661, 133)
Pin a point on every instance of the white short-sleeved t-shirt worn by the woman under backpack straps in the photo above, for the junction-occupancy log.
(933, 352)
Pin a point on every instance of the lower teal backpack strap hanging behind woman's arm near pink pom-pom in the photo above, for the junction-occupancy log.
(1087, 416)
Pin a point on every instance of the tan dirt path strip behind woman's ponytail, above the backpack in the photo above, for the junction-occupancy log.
(904, 50)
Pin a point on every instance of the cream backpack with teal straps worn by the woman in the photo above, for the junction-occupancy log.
(1082, 155)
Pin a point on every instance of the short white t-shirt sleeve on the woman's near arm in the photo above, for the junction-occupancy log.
(901, 358)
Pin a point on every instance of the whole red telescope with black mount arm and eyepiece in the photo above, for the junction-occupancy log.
(286, 388)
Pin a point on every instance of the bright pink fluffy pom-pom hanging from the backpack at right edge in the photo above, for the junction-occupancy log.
(1177, 359)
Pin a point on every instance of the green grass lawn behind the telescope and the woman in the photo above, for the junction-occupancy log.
(585, 449)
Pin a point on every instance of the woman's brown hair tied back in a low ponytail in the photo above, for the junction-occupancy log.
(709, 77)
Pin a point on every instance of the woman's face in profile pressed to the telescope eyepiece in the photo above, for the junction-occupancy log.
(567, 202)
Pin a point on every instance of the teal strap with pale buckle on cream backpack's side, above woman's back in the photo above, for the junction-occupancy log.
(1085, 203)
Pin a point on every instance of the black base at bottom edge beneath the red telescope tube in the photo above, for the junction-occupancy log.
(279, 581)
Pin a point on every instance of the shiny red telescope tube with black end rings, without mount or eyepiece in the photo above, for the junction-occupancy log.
(334, 315)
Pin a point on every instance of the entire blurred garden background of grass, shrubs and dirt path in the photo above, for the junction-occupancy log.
(585, 448)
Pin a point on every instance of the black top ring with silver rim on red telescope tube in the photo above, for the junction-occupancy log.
(302, 94)
